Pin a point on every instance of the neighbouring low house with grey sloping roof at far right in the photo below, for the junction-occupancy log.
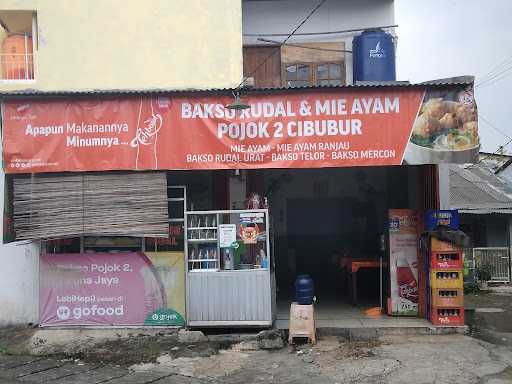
(484, 201)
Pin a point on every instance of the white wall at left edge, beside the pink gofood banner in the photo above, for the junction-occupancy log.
(19, 278)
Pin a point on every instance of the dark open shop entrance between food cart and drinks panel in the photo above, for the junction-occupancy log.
(325, 219)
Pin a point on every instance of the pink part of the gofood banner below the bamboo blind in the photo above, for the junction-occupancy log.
(103, 289)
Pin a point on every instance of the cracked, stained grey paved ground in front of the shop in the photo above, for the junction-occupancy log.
(485, 357)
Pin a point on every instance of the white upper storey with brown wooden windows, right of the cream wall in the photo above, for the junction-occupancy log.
(309, 58)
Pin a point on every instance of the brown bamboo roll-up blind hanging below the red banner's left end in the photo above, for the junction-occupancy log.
(125, 204)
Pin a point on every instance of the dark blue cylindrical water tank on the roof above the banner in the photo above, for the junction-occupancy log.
(374, 56)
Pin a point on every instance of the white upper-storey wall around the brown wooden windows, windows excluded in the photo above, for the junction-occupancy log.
(283, 16)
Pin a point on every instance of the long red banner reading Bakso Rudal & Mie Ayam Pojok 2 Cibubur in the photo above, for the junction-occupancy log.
(332, 128)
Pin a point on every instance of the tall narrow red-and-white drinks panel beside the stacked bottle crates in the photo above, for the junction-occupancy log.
(403, 262)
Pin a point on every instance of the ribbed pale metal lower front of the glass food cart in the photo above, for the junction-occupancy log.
(234, 296)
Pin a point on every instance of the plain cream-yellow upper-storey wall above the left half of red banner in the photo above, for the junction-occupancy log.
(119, 44)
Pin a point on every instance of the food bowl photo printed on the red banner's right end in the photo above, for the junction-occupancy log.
(444, 131)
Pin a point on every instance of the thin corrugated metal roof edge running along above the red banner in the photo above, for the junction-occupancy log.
(463, 81)
